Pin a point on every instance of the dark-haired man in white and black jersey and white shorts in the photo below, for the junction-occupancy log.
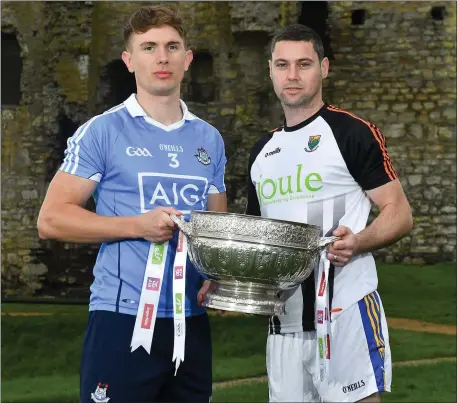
(324, 167)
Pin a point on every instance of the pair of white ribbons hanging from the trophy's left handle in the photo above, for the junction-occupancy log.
(150, 294)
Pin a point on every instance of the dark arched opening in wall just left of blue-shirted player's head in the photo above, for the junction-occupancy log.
(116, 85)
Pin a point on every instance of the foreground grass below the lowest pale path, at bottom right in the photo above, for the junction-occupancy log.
(425, 383)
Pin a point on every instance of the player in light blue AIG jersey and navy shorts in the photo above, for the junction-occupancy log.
(148, 338)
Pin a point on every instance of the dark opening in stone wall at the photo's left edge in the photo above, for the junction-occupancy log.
(11, 70)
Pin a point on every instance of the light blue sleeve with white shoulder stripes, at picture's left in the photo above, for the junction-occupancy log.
(84, 155)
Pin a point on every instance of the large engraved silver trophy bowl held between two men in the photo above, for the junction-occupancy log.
(256, 262)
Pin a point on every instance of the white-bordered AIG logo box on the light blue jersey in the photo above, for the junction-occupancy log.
(168, 190)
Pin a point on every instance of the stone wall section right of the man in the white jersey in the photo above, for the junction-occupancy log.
(398, 71)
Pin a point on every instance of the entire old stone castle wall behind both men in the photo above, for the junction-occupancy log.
(397, 70)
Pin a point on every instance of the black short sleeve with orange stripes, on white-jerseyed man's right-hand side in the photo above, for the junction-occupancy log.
(367, 157)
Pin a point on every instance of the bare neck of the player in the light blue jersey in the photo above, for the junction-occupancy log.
(164, 109)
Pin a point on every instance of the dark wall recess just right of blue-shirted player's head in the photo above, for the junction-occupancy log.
(202, 88)
